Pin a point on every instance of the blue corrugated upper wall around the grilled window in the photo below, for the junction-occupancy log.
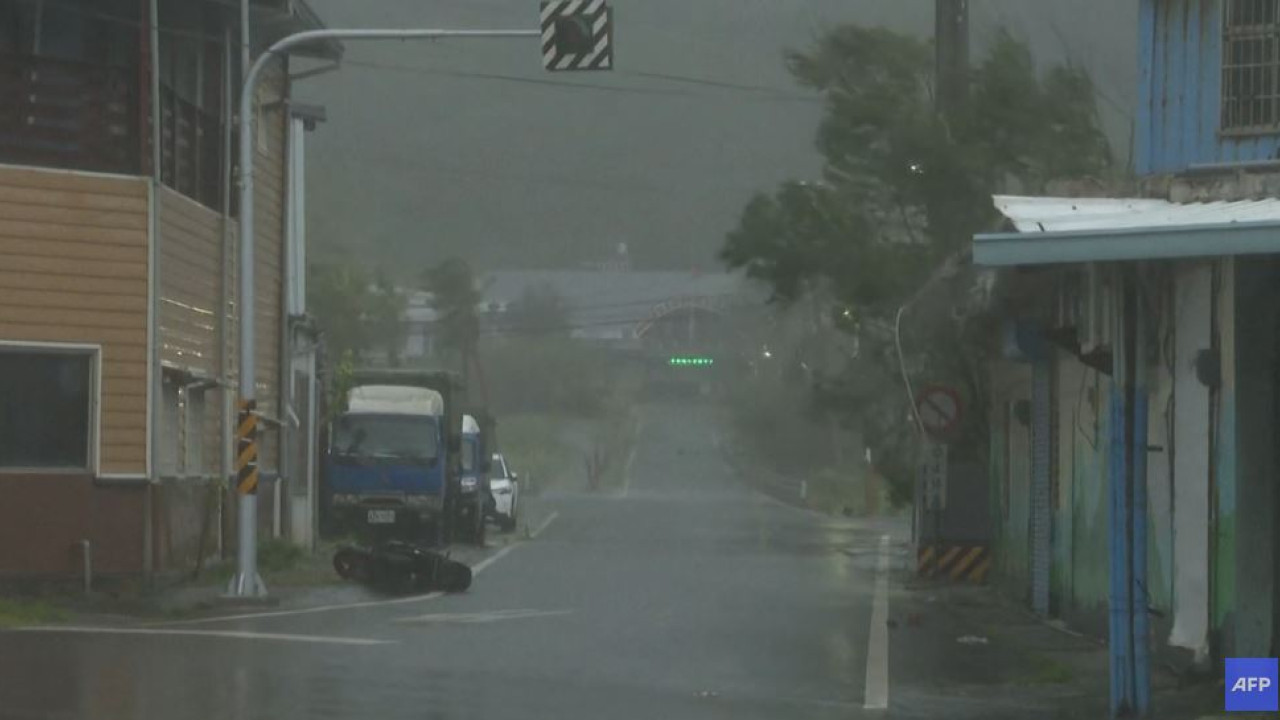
(1180, 92)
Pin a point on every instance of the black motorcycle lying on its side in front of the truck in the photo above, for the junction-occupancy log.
(401, 568)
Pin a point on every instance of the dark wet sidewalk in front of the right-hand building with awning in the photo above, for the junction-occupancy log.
(982, 655)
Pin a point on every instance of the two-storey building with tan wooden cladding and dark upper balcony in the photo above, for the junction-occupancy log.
(118, 309)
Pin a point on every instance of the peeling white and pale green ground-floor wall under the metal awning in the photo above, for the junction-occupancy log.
(1194, 473)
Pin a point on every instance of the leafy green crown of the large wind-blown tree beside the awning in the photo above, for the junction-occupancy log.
(906, 188)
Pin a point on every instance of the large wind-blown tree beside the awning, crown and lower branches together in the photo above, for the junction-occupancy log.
(903, 192)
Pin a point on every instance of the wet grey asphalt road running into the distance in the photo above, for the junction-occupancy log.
(684, 596)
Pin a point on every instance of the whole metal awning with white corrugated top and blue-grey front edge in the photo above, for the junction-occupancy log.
(1096, 230)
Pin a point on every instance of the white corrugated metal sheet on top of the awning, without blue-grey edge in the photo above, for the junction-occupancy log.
(1080, 215)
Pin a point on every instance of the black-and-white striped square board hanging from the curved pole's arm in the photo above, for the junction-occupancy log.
(578, 35)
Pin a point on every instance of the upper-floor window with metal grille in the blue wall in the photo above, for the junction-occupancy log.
(1251, 66)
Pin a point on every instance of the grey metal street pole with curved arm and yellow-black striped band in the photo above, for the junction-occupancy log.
(246, 582)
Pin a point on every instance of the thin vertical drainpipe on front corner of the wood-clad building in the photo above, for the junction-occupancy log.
(154, 288)
